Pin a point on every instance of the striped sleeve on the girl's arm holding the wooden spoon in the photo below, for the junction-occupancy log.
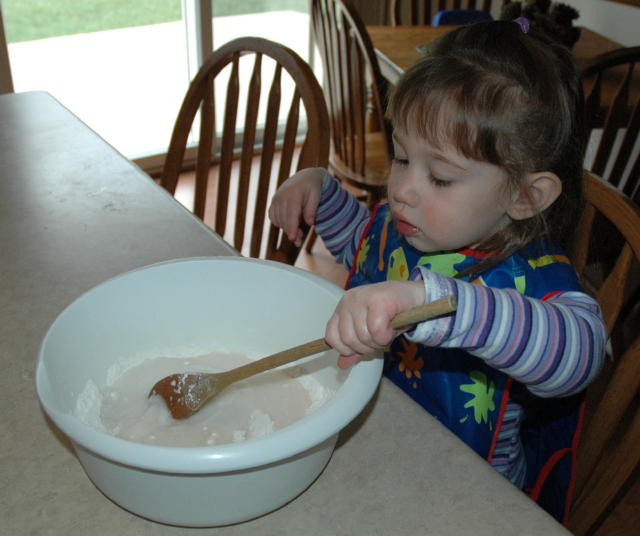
(555, 347)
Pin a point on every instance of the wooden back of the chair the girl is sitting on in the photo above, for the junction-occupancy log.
(608, 451)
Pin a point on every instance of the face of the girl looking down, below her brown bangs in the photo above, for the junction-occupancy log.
(440, 200)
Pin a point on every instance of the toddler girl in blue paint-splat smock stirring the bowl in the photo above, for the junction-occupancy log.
(482, 194)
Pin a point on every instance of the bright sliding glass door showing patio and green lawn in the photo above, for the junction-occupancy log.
(123, 66)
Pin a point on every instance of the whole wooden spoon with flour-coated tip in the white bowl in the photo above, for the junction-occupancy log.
(186, 393)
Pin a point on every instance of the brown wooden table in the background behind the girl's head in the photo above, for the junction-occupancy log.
(397, 46)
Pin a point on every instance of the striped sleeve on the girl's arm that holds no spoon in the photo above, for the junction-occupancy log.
(340, 220)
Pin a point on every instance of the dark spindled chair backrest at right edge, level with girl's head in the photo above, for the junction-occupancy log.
(612, 91)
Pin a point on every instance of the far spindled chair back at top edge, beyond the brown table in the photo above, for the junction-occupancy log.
(417, 12)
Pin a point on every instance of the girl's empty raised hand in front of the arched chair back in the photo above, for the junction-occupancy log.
(297, 198)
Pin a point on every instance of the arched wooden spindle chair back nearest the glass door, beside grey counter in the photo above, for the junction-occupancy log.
(251, 156)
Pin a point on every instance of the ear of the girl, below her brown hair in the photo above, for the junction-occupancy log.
(537, 192)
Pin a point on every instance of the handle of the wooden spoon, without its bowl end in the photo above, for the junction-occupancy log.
(406, 318)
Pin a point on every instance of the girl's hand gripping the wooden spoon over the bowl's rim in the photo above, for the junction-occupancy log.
(361, 322)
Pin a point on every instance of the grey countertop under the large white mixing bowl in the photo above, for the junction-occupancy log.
(74, 213)
